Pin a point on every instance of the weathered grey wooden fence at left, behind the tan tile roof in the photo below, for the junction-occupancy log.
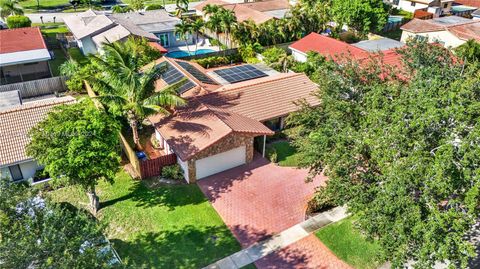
(37, 87)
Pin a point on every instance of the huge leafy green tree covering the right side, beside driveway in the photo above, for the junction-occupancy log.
(400, 148)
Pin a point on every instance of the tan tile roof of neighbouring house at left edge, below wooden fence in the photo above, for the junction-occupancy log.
(15, 124)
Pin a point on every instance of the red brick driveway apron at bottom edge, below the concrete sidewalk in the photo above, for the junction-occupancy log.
(308, 253)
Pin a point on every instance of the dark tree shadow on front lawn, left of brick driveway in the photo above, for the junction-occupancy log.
(168, 196)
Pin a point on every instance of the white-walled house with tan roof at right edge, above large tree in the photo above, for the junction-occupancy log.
(451, 31)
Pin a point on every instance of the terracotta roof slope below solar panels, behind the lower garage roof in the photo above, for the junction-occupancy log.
(264, 98)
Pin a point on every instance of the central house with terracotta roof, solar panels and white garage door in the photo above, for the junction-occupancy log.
(229, 113)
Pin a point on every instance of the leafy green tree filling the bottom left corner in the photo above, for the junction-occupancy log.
(36, 233)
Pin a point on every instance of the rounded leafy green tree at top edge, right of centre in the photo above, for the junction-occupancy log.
(363, 16)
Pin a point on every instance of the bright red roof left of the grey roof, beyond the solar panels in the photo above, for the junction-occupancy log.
(328, 47)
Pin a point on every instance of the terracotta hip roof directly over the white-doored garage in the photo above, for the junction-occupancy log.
(196, 127)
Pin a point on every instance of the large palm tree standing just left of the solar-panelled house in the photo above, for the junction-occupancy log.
(123, 88)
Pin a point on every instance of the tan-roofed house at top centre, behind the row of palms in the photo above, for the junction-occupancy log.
(259, 12)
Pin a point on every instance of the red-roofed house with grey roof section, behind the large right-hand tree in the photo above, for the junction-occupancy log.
(335, 49)
